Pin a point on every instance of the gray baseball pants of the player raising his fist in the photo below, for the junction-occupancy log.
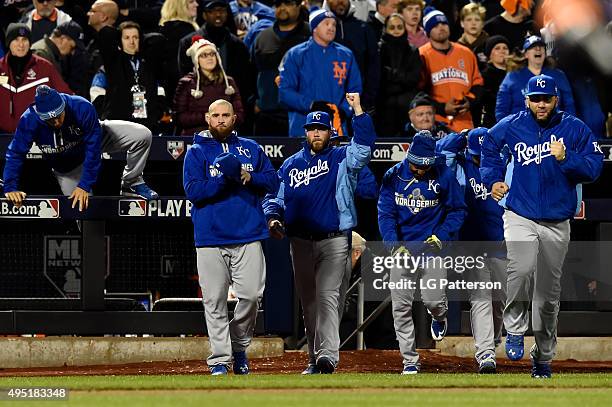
(319, 267)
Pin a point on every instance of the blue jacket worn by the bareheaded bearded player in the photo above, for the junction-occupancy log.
(224, 211)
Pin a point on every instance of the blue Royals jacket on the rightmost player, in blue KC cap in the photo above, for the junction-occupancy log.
(542, 188)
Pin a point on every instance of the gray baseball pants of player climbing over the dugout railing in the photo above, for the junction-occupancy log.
(117, 136)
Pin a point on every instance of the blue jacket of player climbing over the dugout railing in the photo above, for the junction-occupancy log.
(78, 141)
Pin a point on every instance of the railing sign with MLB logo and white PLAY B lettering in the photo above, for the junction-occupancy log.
(158, 208)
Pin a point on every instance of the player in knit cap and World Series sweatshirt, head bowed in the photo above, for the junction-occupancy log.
(420, 208)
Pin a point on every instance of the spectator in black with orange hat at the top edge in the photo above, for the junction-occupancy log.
(513, 23)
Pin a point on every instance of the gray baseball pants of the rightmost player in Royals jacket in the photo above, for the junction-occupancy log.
(531, 243)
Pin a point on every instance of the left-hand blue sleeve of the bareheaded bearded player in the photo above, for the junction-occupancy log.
(199, 187)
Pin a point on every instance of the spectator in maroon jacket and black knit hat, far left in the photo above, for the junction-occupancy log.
(20, 73)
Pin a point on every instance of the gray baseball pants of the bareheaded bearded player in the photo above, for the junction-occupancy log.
(243, 267)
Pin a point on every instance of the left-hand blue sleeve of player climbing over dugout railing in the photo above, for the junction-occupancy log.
(16, 155)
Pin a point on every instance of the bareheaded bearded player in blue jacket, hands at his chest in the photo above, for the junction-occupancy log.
(226, 177)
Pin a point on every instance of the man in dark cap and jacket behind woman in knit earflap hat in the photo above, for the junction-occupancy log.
(234, 54)
